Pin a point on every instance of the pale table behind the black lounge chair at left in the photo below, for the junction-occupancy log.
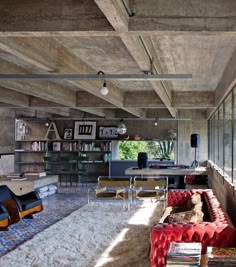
(21, 187)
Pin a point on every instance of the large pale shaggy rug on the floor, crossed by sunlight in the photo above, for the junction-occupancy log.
(96, 235)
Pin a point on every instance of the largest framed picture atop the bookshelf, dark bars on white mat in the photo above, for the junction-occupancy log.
(85, 130)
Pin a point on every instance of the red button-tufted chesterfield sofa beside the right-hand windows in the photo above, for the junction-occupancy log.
(216, 229)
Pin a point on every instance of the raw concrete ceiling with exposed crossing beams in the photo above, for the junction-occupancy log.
(86, 36)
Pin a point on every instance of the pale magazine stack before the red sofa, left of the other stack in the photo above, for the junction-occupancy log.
(184, 254)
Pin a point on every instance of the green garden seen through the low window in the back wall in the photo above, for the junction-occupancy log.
(163, 150)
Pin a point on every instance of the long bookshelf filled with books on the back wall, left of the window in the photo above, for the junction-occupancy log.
(39, 148)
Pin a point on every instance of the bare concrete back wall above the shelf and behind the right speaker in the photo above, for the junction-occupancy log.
(147, 131)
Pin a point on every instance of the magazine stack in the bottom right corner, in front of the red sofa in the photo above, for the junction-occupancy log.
(217, 257)
